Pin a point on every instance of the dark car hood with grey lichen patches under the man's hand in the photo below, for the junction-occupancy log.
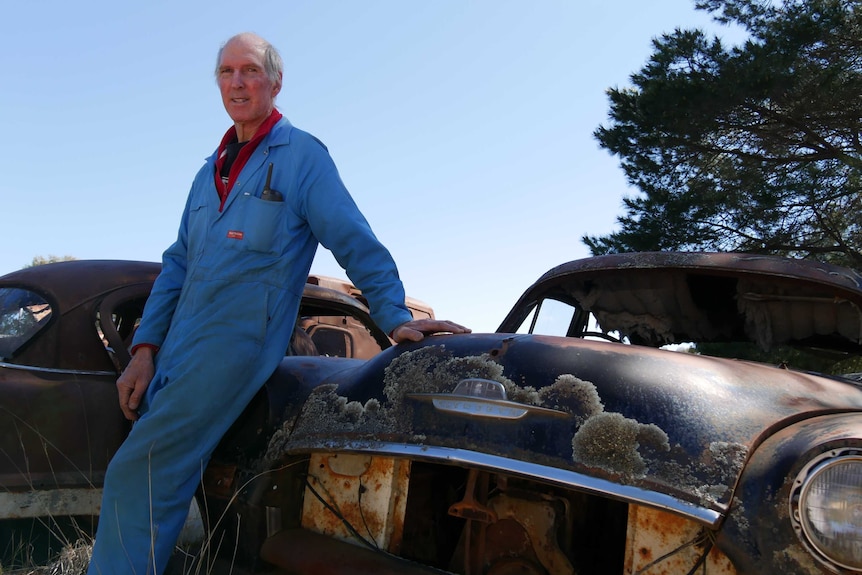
(648, 425)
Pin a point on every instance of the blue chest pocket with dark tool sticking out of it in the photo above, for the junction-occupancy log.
(261, 224)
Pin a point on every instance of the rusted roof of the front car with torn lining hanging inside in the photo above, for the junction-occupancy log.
(668, 297)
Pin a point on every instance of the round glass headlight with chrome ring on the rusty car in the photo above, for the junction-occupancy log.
(826, 507)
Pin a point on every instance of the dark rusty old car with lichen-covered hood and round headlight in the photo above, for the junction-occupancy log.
(643, 413)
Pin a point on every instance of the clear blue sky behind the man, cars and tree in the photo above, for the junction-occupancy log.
(462, 128)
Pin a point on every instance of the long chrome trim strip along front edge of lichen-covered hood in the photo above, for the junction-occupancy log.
(525, 469)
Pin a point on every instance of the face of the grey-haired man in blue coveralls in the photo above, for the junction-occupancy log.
(247, 92)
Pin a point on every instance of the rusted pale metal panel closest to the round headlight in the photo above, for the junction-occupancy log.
(660, 543)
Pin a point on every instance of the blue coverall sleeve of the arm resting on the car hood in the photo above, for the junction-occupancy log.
(340, 227)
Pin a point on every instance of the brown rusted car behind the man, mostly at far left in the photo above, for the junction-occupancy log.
(65, 329)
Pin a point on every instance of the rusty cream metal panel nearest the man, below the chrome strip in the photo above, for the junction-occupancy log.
(357, 498)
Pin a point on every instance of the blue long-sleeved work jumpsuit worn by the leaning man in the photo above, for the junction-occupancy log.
(222, 313)
